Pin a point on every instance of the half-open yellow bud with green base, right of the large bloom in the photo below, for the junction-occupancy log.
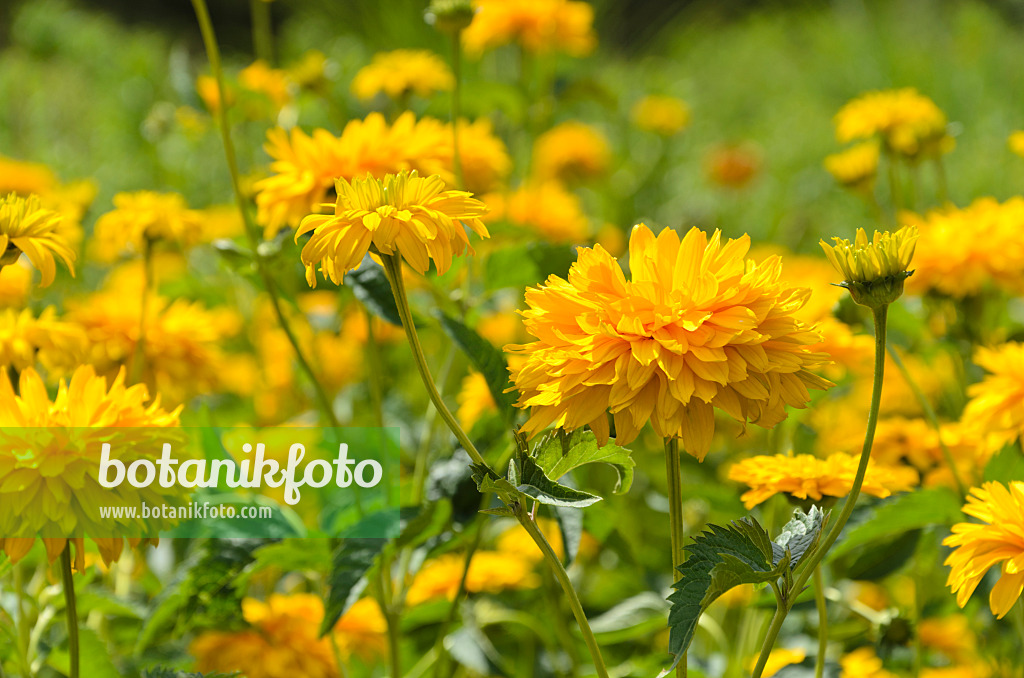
(874, 271)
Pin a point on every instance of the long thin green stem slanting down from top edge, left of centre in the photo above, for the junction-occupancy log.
(214, 55)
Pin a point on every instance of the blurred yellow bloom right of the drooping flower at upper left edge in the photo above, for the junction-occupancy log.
(145, 216)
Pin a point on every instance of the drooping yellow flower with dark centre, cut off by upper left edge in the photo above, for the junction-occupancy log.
(25, 227)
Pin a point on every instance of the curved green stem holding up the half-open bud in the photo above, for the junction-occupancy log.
(851, 500)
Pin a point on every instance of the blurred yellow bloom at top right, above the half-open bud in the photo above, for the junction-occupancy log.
(904, 120)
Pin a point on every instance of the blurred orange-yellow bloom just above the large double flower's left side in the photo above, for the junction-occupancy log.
(546, 208)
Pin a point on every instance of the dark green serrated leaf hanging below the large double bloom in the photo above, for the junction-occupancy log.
(719, 559)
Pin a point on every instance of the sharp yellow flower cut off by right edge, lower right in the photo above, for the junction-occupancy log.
(998, 540)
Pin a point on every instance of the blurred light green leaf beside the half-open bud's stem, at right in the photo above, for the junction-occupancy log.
(915, 511)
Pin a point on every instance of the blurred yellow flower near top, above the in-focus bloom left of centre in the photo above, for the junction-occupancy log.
(403, 72)
